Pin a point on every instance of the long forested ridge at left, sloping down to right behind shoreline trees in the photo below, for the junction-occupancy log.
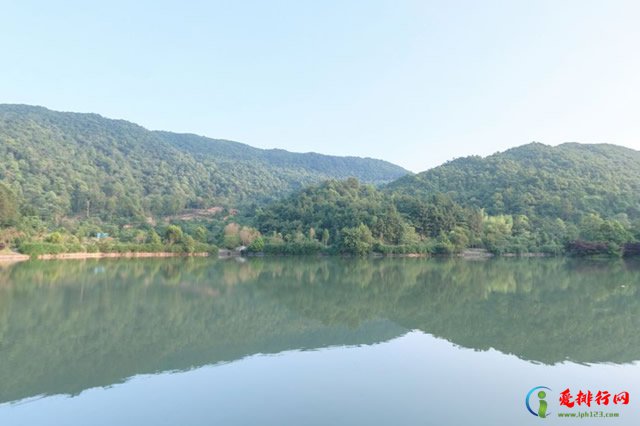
(64, 164)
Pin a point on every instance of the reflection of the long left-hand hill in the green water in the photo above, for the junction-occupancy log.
(68, 326)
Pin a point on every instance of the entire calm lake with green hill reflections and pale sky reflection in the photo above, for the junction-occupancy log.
(319, 341)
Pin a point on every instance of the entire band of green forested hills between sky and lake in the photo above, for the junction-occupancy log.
(80, 182)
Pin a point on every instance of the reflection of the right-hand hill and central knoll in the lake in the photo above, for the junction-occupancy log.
(547, 310)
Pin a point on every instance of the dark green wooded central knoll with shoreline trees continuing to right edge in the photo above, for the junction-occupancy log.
(347, 217)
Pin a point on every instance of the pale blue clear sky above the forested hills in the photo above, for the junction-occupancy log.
(416, 83)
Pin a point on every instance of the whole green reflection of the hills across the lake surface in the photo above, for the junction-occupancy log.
(68, 326)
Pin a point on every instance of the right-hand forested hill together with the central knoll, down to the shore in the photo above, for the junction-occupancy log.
(580, 199)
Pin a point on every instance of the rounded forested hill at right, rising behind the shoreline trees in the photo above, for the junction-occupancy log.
(567, 181)
